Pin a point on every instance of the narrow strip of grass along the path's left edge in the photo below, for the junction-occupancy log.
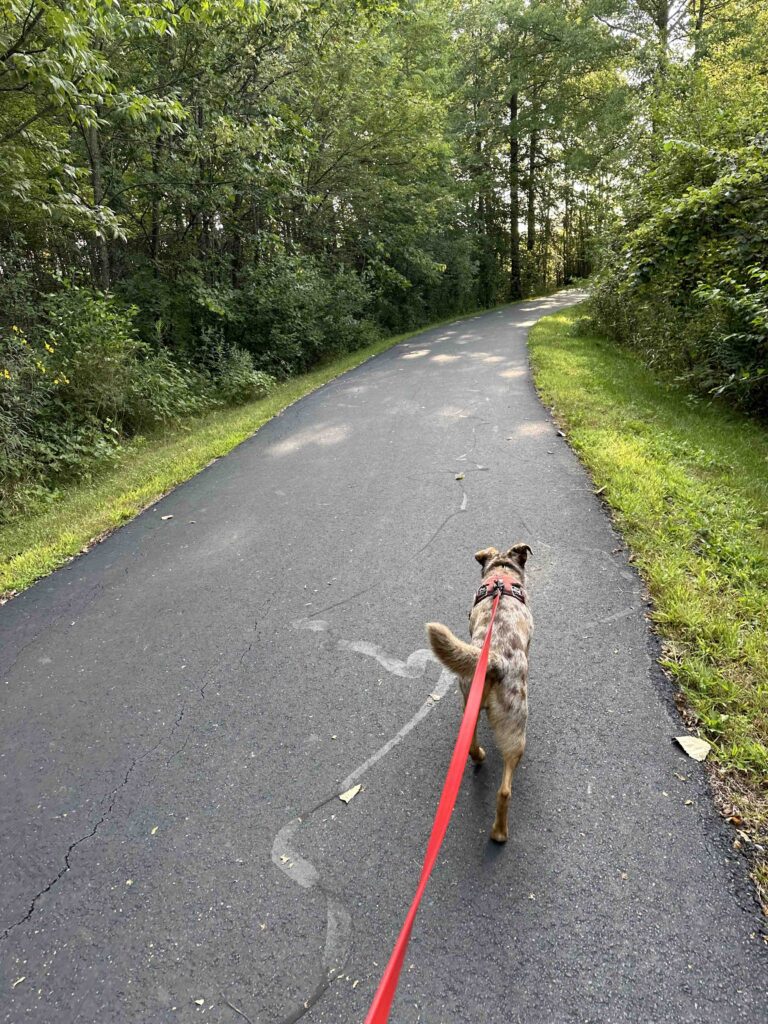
(39, 542)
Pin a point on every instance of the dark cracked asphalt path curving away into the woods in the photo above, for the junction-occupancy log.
(184, 705)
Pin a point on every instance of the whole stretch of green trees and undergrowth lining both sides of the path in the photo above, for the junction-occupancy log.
(249, 188)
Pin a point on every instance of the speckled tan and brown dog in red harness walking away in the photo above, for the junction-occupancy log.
(505, 694)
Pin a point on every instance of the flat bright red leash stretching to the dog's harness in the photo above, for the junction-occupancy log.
(379, 1012)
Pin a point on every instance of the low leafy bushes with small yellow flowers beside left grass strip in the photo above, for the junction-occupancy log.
(84, 381)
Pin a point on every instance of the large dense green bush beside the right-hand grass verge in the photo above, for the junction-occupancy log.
(689, 285)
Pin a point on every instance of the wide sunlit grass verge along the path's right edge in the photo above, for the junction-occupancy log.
(689, 486)
